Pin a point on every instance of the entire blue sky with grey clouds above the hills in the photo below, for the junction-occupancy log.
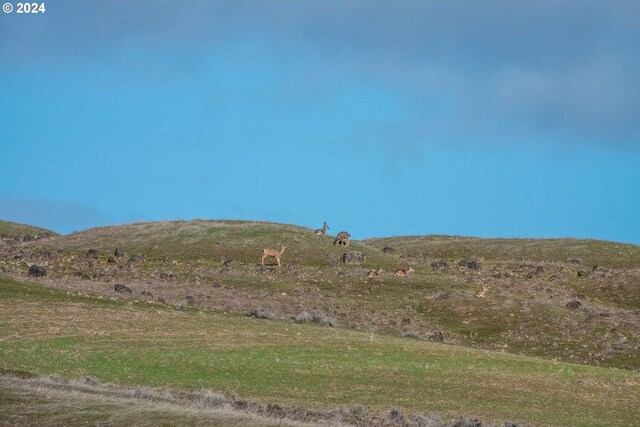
(490, 119)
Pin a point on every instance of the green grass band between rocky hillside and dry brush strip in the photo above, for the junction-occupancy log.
(46, 331)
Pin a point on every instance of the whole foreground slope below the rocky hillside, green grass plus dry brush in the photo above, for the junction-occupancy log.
(138, 364)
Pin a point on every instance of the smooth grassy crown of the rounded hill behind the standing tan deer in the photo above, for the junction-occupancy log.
(241, 241)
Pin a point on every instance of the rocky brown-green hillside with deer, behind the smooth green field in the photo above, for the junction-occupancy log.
(566, 299)
